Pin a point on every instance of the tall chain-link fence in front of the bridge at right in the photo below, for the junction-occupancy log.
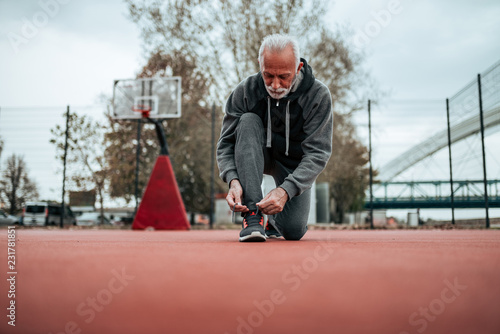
(410, 145)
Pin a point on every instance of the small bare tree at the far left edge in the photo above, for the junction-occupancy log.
(16, 187)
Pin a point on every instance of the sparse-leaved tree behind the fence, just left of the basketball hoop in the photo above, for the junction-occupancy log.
(86, 165)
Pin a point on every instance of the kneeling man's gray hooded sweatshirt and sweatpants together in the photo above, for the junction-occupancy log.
(289, 139)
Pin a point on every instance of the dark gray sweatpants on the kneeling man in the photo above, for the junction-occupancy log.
(252, 161)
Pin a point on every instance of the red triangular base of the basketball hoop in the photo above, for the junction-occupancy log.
(161, 206)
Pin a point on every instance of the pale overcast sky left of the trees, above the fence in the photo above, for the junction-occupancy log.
(72, 58)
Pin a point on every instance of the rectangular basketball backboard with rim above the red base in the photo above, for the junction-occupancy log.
(160, 95)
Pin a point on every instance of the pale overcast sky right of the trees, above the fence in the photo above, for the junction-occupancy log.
(429, 49)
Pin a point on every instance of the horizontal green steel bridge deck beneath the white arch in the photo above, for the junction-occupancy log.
(435, 194)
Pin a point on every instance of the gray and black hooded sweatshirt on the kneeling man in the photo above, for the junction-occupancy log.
(298, 128)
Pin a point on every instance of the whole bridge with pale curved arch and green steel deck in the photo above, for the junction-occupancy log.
(388, 194)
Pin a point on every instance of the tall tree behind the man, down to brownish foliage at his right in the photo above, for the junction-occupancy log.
(223, 39)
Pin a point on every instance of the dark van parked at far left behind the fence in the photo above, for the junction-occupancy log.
(46, 213)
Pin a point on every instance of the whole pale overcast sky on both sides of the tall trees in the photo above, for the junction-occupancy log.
(59, 52)
